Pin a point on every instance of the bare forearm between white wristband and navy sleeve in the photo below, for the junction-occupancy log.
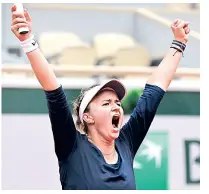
(43, 70)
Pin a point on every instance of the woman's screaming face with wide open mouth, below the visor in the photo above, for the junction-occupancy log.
(107, 114)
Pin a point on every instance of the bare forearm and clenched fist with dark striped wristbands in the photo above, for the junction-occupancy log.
(164, 73)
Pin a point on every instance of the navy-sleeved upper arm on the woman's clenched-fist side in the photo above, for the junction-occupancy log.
(140, 120)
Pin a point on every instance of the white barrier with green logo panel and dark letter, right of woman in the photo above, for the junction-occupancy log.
(169, 157)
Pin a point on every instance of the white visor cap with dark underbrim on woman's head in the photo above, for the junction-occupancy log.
(114, 84)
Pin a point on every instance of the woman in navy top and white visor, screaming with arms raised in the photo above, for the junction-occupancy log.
(102, 157)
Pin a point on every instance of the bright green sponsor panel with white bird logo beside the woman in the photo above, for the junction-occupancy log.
(151, 162)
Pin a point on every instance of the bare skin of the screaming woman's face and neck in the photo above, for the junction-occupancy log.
(99, 122)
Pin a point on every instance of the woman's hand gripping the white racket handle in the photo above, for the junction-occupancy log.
(19, 20)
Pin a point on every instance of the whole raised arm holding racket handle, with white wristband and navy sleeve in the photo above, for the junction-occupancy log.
(63, 127)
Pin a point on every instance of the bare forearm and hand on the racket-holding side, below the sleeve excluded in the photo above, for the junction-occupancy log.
(41, 68)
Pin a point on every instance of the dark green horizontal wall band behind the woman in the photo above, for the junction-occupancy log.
(33, 101)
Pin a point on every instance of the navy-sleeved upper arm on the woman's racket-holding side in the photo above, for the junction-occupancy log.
(63, 128)
